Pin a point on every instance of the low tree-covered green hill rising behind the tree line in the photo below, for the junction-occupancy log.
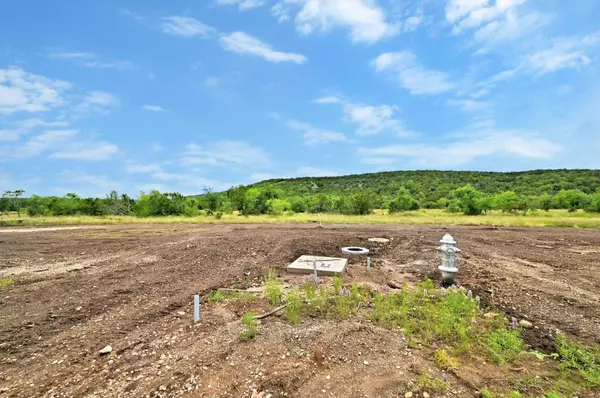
(434, 184)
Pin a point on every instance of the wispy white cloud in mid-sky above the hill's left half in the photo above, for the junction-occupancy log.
(370, 119)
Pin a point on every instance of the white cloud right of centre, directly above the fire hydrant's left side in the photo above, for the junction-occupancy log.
(412, 76)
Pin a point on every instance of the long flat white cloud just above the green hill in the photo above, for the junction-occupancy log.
(468, 147)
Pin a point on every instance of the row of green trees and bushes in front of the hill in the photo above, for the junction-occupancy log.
(272, 199)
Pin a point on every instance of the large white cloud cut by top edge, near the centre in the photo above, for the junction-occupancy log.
(366, 21)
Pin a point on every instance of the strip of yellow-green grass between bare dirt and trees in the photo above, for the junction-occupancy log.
(554, 218)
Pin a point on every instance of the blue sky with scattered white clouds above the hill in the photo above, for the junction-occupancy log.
(181, 95)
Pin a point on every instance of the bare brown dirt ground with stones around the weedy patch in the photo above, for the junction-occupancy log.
(131, 287)
